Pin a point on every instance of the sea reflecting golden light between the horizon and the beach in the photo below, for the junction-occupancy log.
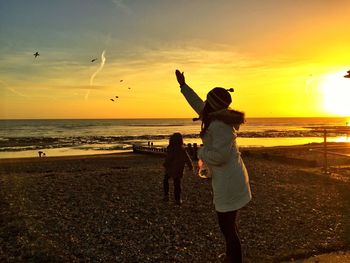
(24, 138)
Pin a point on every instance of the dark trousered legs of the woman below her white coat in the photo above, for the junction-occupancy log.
(228, 226)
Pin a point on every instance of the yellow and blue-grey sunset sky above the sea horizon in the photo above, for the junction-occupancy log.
(284, 58)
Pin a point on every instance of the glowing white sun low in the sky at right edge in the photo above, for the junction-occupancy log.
(336, 92)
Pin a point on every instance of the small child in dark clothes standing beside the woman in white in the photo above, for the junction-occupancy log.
(174, 165)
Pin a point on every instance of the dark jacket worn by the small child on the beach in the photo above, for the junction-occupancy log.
(175, 162)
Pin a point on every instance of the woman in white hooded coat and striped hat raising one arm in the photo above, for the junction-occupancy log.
(230, 182)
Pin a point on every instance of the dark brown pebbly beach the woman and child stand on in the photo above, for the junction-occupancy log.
(109, 208)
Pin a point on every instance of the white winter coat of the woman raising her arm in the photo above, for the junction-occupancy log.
(230, 182)
